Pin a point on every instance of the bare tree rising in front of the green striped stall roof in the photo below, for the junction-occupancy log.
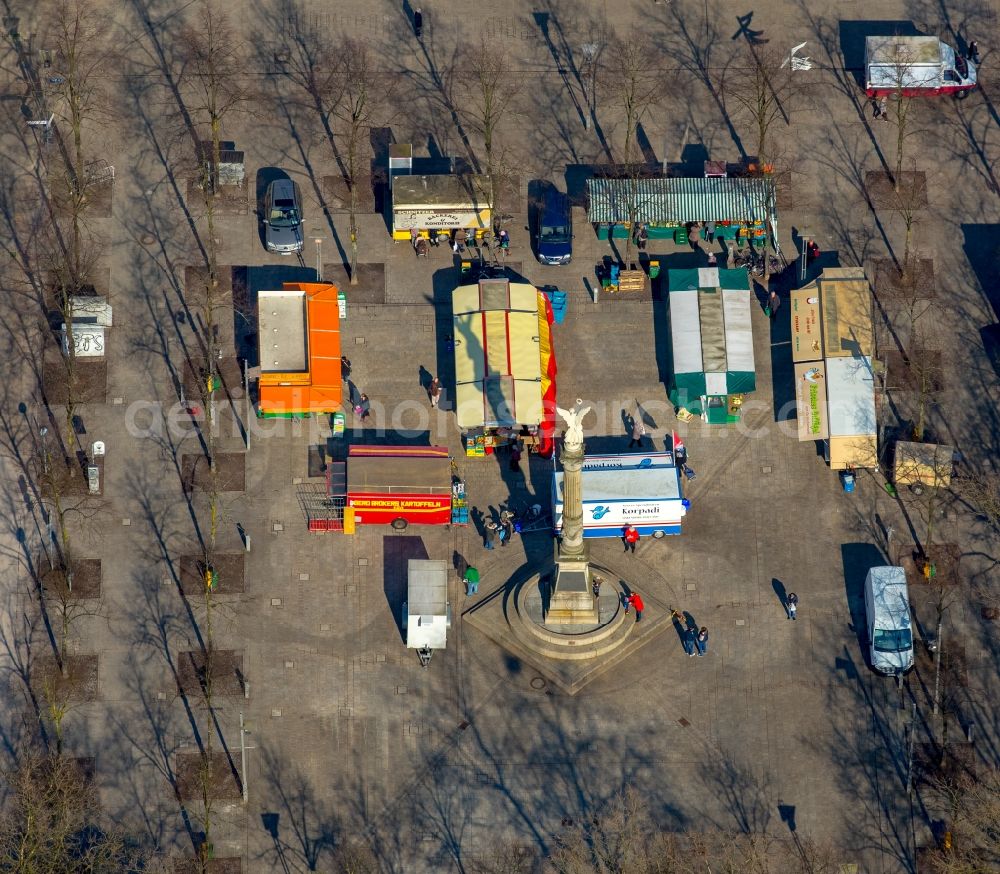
(634, 85)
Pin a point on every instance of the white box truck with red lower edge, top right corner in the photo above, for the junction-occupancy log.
(915, 65)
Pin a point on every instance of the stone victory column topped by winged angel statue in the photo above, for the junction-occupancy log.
(572, 601)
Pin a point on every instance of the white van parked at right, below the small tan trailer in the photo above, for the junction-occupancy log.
(890, 632)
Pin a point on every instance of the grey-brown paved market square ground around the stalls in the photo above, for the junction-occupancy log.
(349, 740)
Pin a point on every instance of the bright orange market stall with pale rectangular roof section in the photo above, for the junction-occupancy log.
(299, 347)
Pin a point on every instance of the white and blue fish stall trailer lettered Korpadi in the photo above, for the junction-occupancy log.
(641, 489)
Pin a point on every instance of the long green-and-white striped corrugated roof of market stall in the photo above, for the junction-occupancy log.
(682, 200)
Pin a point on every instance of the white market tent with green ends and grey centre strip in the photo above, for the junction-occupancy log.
(711, 336)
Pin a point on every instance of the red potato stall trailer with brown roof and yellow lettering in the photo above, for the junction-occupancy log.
(400, 485)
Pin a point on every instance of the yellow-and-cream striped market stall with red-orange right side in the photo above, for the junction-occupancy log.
(505, 365)
